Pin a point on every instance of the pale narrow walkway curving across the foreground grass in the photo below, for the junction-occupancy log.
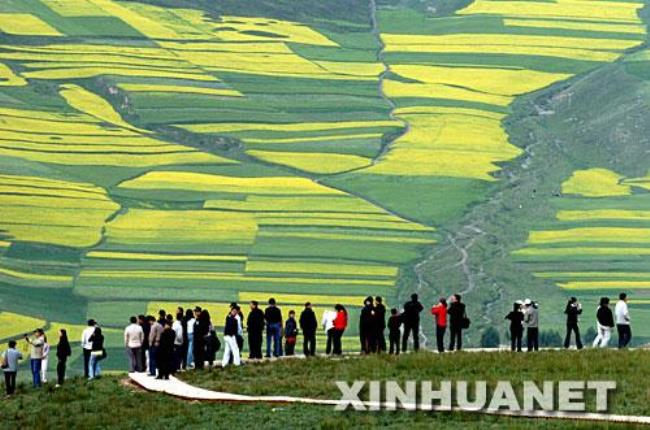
(177, 388)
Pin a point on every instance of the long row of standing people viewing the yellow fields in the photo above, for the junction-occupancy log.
(187, 339)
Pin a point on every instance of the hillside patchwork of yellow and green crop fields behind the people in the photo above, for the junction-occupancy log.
(155, 153)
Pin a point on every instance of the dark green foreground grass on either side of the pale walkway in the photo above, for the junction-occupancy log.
(110, 403)
